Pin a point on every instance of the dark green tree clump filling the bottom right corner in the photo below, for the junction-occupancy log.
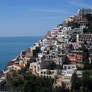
(82, 84)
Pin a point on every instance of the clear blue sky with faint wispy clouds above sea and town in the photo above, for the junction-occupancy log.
(36, 17)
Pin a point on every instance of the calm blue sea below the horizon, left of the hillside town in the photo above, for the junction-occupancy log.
(10, 47)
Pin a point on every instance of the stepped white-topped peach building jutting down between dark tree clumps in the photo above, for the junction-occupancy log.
(66, 75)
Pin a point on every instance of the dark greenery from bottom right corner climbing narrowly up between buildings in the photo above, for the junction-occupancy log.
(83, 84)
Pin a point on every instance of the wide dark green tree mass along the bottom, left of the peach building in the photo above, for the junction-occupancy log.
(29, 83)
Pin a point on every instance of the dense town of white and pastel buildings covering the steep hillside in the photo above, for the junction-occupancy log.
(62, 52)
